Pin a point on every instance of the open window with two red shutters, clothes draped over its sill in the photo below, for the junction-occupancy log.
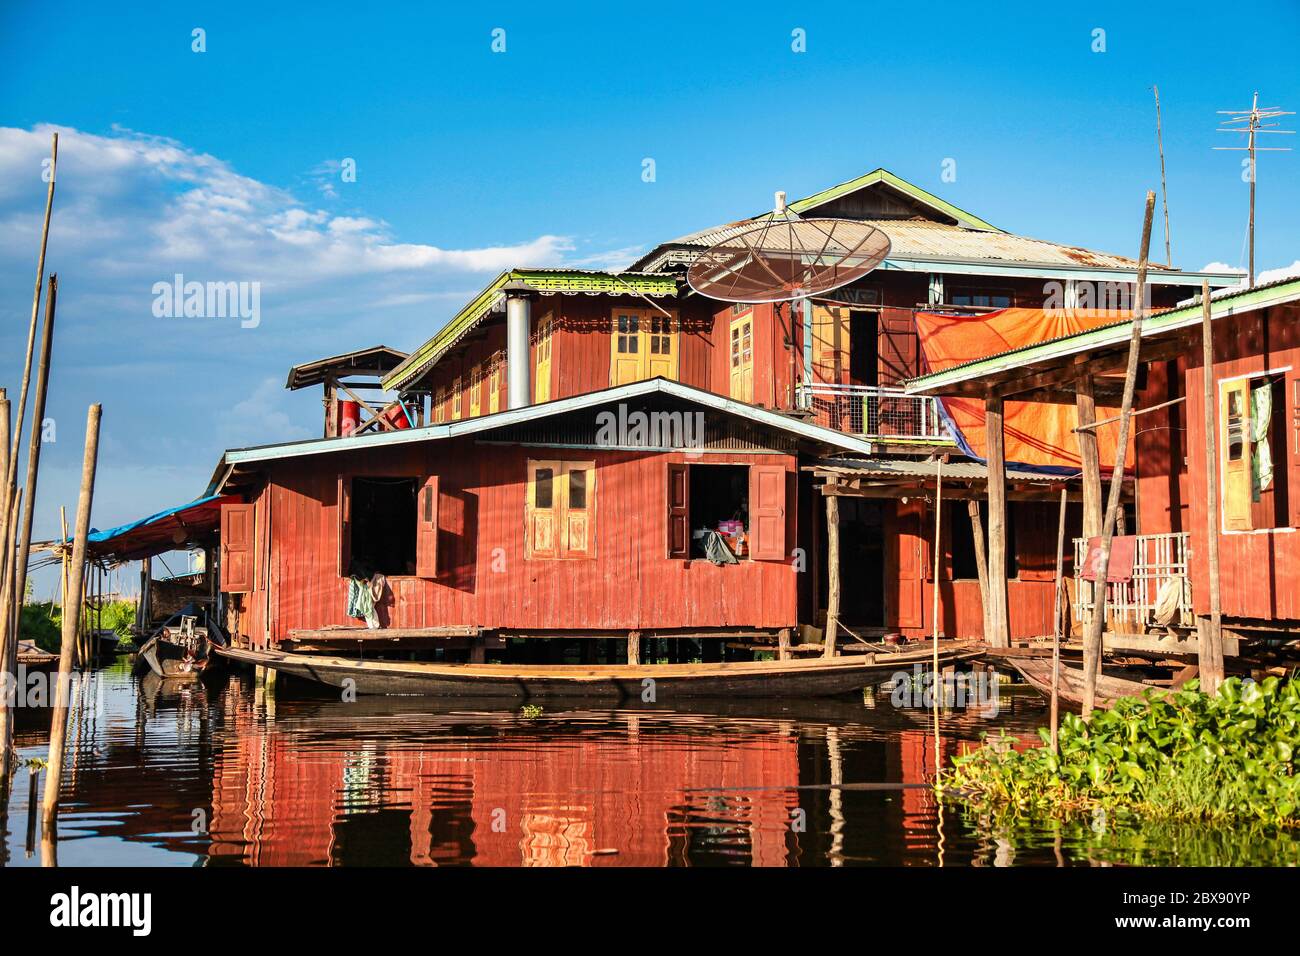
(743, 505)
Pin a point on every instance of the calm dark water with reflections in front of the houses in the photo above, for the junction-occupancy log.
(227, 775)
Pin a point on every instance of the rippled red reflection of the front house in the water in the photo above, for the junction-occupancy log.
(385, 782)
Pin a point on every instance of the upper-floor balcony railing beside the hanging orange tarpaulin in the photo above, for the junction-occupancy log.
(874, 412)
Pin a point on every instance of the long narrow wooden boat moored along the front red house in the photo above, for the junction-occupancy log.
(816, 678)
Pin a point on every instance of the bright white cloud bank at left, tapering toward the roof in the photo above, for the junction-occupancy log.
(151, 206)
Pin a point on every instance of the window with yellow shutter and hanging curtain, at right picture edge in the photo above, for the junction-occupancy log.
(1254, 453)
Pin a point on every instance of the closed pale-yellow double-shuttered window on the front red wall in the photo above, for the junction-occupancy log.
(561, 509)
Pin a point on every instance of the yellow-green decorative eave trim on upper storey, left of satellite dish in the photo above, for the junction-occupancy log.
(544, 282)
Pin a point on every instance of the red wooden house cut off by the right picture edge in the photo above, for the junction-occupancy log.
(1256, 429)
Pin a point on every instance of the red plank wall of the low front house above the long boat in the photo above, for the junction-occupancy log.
(630, 585)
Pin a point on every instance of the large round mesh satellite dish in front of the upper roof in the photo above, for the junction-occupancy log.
(782, 257)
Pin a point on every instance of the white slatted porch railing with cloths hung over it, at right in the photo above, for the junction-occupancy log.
(1159, 595)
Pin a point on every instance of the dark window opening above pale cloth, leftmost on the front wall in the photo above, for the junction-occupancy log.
(378, 526)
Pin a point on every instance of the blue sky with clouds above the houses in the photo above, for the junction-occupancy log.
(224, 166)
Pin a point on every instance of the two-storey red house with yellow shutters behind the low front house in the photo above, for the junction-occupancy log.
(536, 336)
